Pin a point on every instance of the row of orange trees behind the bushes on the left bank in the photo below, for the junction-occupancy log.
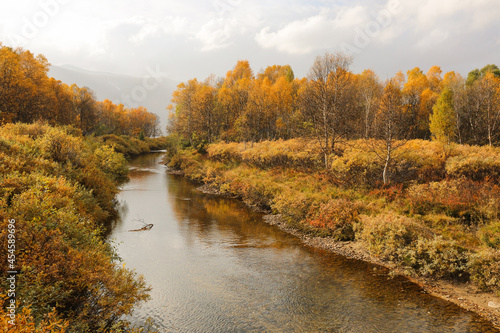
(28, 95)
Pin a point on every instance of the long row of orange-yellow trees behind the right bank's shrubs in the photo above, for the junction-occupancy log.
(332, 104)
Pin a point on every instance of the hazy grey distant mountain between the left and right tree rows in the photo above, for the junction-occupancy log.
(151, 91)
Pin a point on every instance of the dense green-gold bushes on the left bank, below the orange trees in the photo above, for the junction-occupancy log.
(60, 189)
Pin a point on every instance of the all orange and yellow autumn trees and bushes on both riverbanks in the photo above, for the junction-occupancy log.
(407, 167)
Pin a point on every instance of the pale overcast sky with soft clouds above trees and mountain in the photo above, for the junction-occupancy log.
(184, 39)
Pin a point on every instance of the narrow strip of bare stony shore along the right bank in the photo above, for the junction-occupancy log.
(468, 297)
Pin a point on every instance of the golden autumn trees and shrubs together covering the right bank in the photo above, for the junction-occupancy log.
(408, 168)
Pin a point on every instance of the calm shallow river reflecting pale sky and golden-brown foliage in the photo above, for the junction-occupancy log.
(215, 266)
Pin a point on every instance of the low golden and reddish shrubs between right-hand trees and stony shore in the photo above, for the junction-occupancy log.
(438, 217)
